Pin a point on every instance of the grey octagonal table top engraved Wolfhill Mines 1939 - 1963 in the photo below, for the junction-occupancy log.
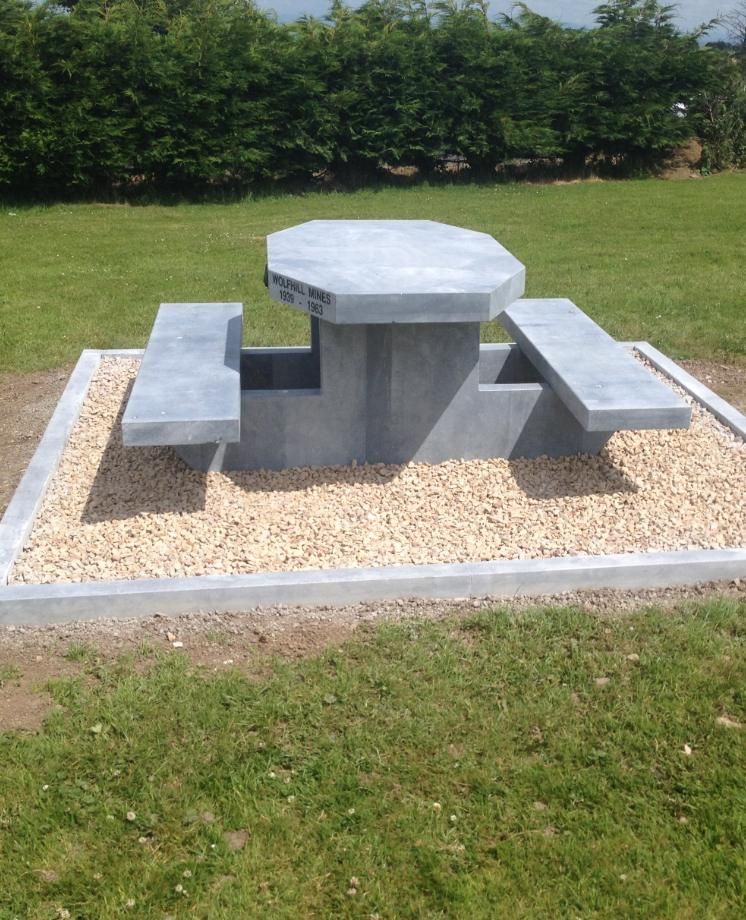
(391, 271)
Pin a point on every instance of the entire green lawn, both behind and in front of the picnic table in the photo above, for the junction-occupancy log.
(513, 764)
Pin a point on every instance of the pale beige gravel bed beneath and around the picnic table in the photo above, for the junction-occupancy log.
(112, 513)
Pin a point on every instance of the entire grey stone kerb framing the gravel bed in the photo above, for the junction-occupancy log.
(54, 603)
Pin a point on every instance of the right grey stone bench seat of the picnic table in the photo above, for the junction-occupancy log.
(603, 386)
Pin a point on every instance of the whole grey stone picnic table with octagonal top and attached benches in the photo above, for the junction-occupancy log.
(395, 371)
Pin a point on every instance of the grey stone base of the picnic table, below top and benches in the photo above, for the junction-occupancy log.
(398, 393)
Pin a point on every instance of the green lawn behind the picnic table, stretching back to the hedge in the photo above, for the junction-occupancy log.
(662, 261)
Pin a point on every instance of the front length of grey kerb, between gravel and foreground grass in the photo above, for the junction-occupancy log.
(31, 604)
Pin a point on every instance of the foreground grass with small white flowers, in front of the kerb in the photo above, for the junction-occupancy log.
(568, 799)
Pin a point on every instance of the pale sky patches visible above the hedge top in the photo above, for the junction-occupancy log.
(689, 13)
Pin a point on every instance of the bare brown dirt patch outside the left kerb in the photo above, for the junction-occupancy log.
(28, 401)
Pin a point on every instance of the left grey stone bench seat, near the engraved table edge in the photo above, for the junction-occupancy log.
(188, 388)
